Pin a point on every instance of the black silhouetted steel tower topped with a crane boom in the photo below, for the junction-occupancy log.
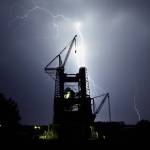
(72, 101)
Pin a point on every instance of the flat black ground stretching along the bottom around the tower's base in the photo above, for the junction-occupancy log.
(114, 133)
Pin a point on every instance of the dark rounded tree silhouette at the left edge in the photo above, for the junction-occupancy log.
(9, 113)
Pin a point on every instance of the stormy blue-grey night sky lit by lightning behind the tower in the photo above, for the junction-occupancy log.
(116, 36)
